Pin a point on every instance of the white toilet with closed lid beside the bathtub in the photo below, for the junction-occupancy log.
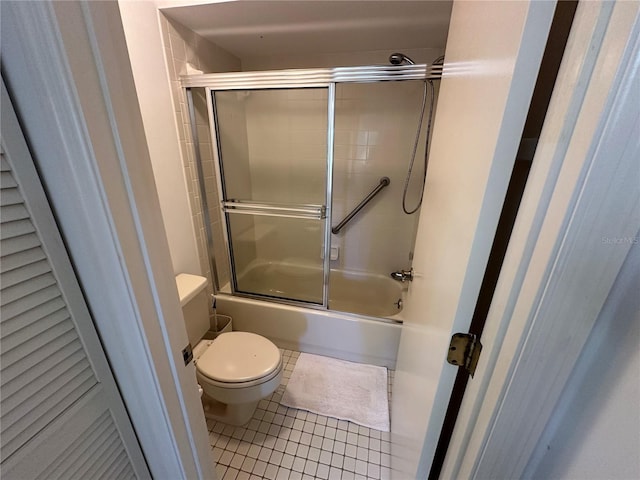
(237, 369)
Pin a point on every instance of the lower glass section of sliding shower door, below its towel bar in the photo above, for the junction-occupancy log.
(278, 257)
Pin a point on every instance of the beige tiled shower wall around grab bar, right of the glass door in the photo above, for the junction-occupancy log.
(375, 129)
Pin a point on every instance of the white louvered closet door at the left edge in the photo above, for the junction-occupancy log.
(61, 414)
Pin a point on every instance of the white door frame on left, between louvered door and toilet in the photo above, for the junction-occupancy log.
(72, 58)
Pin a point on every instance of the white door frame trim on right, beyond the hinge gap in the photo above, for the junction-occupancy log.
(575, 199)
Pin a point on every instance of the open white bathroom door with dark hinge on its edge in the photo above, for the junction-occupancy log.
(493, 54)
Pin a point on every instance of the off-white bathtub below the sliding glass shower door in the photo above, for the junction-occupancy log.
(357, 337)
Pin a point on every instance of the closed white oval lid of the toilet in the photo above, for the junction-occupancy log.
(239, 357)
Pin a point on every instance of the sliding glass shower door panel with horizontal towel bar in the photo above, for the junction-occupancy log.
(273, 161)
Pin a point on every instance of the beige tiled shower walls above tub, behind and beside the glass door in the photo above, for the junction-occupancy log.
(278, 153)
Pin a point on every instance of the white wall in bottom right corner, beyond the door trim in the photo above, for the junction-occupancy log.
(594, 432)
